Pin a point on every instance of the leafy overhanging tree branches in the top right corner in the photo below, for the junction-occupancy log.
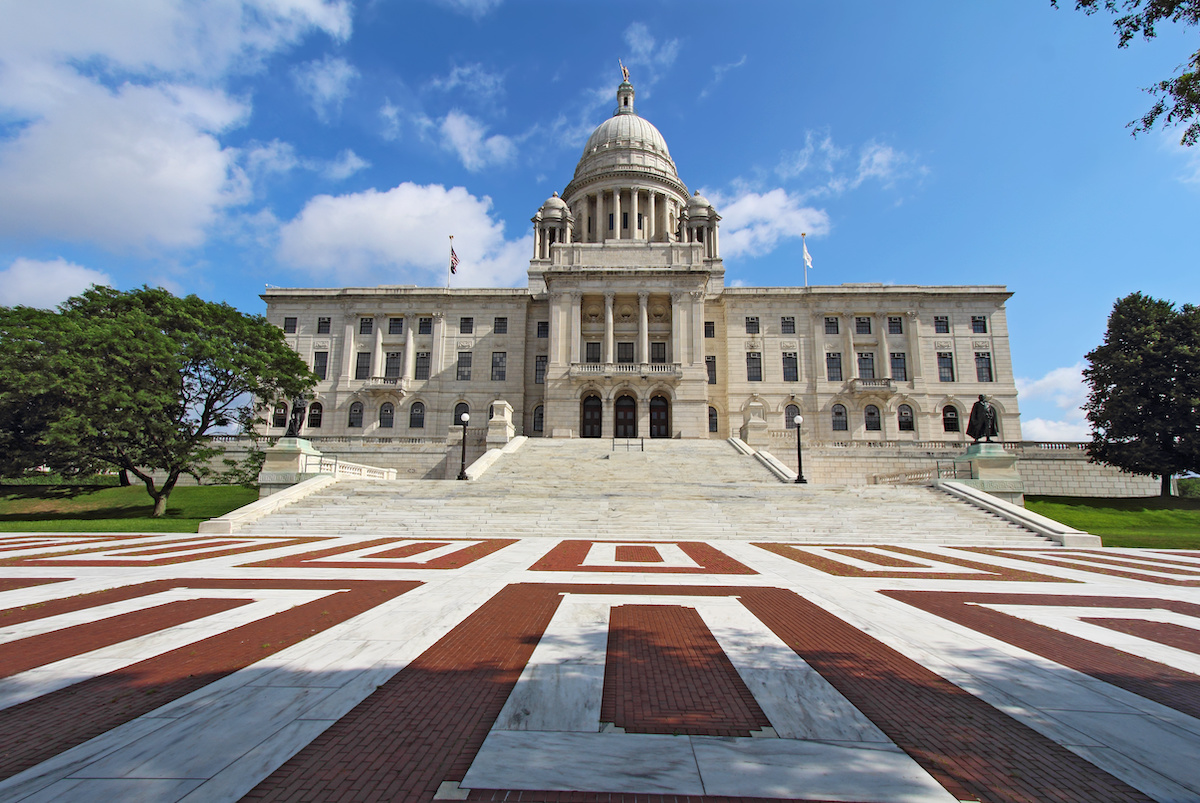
(1177, 100)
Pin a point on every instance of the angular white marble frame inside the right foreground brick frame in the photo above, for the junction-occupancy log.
(1069, 620)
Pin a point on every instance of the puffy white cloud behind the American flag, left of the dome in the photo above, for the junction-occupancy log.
(403, 235)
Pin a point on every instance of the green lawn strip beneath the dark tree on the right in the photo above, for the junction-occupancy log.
(1156, 523)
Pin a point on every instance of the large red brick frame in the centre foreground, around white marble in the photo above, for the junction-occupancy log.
(427, 724)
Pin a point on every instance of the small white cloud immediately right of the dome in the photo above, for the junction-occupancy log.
(755, 224)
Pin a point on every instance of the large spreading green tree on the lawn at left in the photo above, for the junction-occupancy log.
(137, 381)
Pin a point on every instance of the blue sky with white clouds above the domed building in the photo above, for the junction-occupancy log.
(217, 147)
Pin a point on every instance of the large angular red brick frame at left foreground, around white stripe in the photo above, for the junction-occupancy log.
(40, 729)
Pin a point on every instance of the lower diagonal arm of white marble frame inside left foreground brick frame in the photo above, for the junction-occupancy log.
(51, 678)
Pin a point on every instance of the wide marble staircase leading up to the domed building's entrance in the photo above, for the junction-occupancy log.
(676, 490)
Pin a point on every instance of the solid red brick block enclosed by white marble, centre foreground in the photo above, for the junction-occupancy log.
(667, 674)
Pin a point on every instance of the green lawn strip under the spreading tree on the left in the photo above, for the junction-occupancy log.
(98, 510)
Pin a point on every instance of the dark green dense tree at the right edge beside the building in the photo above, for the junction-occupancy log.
(1144, 397)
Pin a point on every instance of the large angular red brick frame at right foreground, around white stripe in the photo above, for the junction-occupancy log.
(1165, 685)
